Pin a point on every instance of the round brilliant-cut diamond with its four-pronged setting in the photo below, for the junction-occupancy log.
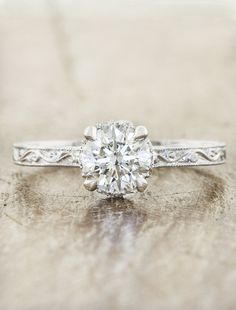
(116, 158)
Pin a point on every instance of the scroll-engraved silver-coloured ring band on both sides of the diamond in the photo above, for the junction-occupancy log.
(167, 153)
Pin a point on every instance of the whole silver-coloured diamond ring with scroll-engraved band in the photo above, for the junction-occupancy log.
(116, 157)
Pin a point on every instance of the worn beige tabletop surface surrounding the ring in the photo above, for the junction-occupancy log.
(68, 64)
